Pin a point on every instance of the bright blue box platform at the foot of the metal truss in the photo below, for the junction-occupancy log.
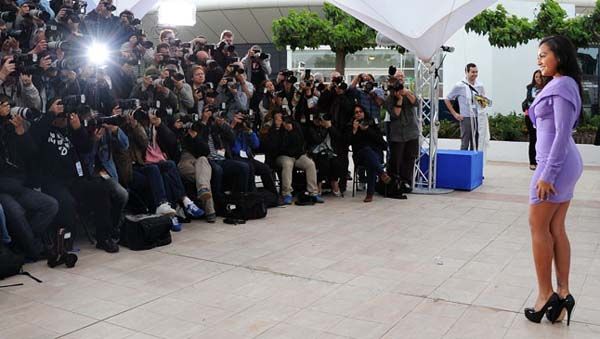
(460, 170)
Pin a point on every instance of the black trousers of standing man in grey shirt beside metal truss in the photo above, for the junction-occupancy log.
(402, 159)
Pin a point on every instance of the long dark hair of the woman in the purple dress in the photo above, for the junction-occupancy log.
(566, 57)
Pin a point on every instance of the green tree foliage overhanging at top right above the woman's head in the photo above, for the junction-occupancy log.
(504, 30)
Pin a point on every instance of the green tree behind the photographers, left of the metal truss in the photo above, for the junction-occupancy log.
(341, 32)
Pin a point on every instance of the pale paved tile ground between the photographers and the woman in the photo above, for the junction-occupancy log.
(452, 266)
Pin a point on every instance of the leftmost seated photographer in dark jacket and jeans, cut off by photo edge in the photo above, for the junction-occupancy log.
(29, 212)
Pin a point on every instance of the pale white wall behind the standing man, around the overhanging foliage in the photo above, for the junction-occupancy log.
(504, 72)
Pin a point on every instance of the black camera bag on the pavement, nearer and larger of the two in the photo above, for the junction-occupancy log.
(140, 233)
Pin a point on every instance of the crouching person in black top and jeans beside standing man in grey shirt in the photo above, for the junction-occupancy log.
(367, 148)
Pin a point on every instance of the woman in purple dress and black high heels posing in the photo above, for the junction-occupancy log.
(555, 112)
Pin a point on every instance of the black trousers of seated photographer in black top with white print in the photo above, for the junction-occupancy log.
(86, 196)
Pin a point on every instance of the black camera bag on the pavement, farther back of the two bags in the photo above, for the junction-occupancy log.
(243, 206)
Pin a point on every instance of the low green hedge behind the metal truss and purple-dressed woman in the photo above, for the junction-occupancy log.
(512, 127)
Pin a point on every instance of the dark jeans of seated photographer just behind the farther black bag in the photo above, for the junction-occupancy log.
(237, 171)
